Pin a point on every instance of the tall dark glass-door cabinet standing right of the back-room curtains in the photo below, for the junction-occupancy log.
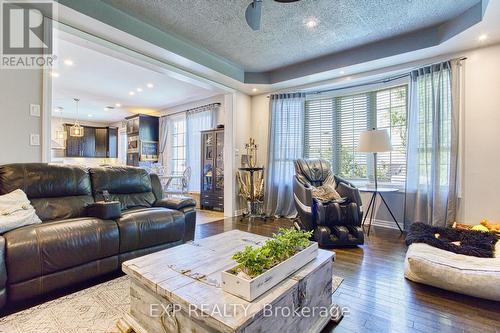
(212, 169)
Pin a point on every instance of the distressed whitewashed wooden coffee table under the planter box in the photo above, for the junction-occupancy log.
(179, 290)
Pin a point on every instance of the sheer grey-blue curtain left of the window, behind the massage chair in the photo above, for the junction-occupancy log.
(286, 144)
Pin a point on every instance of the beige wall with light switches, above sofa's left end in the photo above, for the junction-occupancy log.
(18, 89)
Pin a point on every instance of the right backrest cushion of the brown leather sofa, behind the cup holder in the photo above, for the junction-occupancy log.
(131, 186)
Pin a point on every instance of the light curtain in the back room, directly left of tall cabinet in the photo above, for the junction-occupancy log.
(198, 120)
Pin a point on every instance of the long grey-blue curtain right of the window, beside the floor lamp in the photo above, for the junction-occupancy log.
(432, 158)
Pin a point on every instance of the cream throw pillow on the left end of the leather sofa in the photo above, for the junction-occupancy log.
(16, 211)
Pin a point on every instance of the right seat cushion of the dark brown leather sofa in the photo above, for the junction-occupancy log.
(146, 227)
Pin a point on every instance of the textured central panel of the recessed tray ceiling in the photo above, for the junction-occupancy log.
(220, 27)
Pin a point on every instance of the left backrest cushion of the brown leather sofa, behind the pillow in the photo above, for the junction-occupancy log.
(56, 192)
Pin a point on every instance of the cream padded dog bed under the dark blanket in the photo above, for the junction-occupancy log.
(474, 276)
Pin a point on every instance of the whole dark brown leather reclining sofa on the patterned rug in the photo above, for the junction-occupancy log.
(70, 246)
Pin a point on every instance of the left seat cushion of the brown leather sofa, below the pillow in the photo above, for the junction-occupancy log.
(46, 248)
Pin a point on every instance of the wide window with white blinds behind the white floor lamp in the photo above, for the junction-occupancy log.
(333, 126)
